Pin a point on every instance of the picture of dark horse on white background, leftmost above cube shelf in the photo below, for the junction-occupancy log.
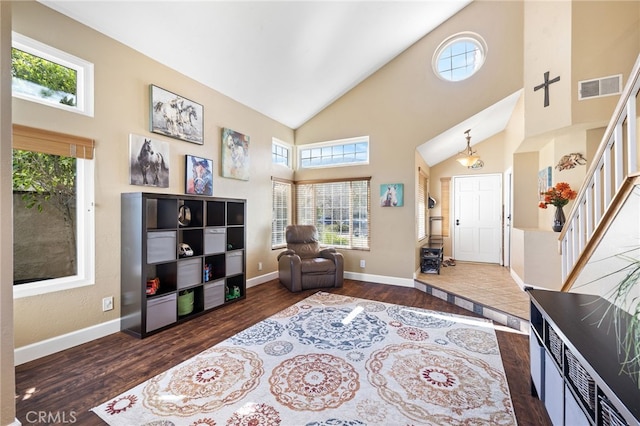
(148, 161)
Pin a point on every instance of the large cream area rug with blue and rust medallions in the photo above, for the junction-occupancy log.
(333, 360)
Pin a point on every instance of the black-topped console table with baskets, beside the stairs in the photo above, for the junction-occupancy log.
(575, 367)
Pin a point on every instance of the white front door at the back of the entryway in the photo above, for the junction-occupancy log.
(477, 221)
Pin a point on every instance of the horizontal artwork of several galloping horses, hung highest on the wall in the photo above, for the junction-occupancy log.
(175, 116)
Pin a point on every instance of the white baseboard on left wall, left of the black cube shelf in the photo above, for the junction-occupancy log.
(59, 343)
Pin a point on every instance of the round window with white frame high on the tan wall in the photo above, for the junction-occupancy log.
(459, 57)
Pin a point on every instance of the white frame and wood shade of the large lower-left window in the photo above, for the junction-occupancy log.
(82, 149)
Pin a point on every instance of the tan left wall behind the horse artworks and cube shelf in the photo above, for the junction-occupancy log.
(122, 78)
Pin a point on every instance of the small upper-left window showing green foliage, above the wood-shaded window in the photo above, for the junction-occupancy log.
(43, 74)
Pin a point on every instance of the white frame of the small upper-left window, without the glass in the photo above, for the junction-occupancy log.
(84, 74)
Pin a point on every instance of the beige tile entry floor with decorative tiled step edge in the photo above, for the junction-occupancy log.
(486, 289)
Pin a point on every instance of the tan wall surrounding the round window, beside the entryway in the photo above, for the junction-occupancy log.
(405, 104)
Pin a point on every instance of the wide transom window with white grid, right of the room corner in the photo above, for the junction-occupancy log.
(336, 153)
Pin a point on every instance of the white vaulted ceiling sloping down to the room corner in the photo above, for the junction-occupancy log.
(285, 59)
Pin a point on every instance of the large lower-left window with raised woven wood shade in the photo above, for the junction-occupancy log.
(55, 202)
